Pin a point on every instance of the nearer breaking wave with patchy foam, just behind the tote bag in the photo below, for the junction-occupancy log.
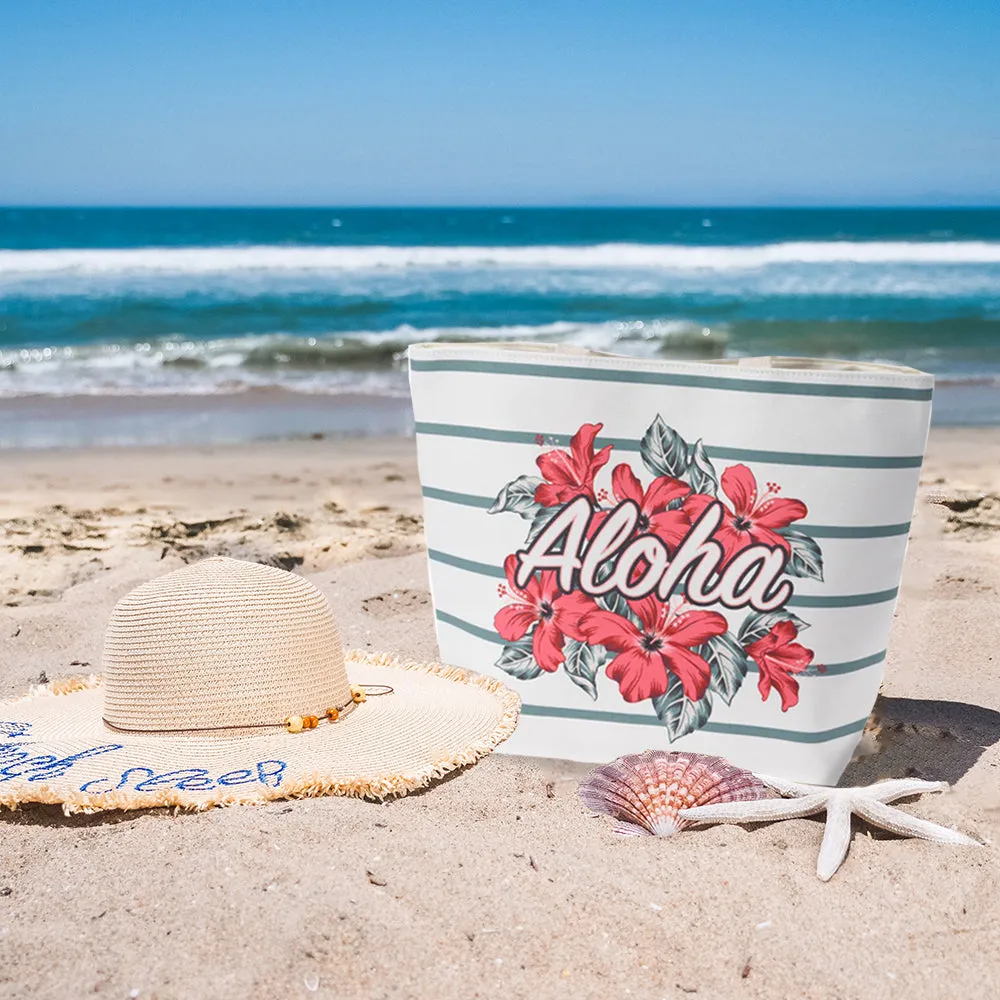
(959, 350)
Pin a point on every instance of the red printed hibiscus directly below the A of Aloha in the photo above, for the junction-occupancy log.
(541, 604)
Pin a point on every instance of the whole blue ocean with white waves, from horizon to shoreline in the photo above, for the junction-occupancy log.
(323, 302)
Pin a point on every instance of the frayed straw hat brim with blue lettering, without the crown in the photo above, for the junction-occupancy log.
(55, 747)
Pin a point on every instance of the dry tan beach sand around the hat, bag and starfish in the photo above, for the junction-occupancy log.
(496, 882)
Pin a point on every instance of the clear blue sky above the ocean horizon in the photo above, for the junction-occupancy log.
(486, 102)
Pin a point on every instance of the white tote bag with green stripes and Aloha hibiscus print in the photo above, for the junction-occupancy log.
(655, 554)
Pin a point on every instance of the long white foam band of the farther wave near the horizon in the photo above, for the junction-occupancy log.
(207, 261)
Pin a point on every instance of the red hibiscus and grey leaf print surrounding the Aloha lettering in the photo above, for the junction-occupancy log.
(670, 652)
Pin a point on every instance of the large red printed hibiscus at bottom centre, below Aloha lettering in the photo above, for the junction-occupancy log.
(661, 643)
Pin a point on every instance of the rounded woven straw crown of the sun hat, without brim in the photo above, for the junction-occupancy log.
(221, 644)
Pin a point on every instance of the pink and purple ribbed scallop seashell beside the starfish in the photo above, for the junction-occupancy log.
(645, 792)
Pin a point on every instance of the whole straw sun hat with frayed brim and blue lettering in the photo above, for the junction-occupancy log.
(226, 682)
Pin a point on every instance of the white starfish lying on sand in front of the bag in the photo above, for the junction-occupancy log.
(868, 802)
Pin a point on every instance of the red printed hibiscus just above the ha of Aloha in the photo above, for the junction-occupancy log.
(752, 518)
